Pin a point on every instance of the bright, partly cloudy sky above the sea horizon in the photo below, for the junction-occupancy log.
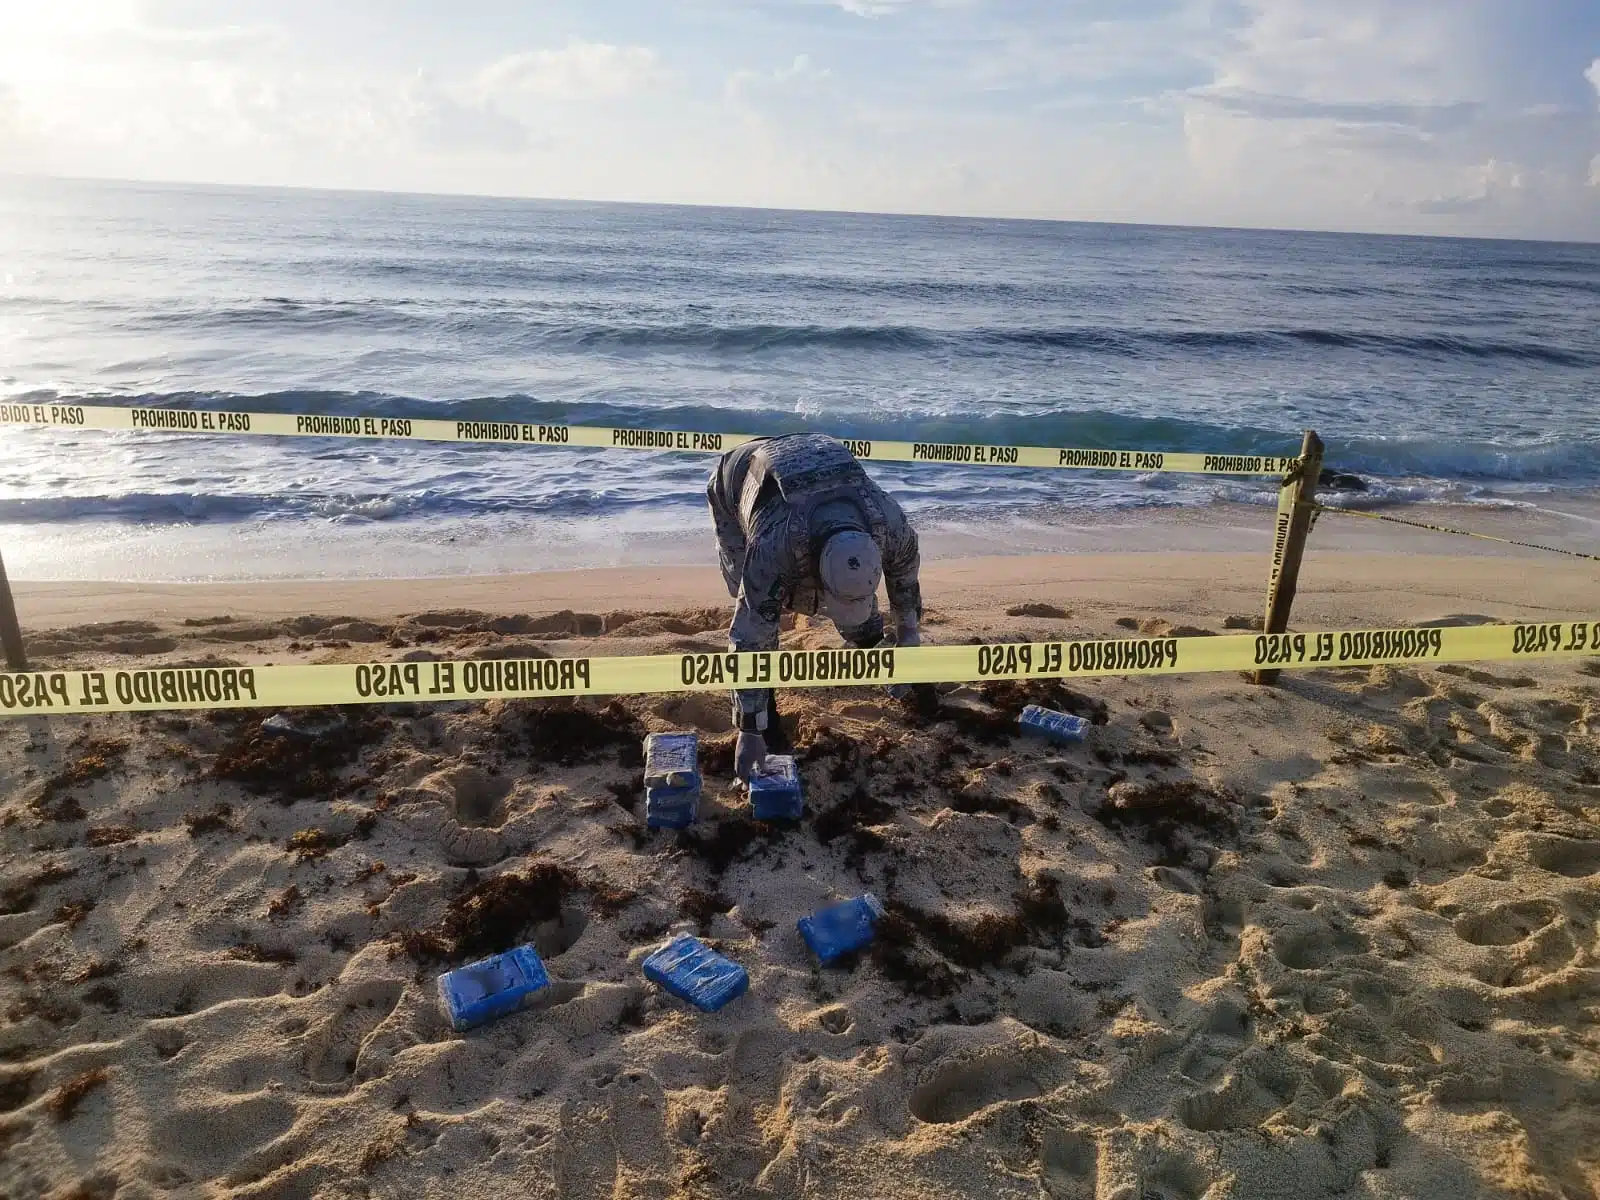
(1386, 116)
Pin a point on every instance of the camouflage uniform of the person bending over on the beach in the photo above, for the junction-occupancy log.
(775, 503)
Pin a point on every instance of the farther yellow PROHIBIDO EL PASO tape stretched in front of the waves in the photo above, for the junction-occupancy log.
(602, 438)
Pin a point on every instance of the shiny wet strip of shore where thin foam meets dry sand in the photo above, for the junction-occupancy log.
(297, 553)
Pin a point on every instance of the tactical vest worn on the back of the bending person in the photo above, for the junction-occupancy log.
(807, 471)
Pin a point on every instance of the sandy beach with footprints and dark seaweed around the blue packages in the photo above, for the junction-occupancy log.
(1334, 938)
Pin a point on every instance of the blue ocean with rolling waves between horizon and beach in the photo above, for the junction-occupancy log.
(1439, 370)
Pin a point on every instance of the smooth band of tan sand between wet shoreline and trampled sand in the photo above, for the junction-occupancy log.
(1386, 590)
